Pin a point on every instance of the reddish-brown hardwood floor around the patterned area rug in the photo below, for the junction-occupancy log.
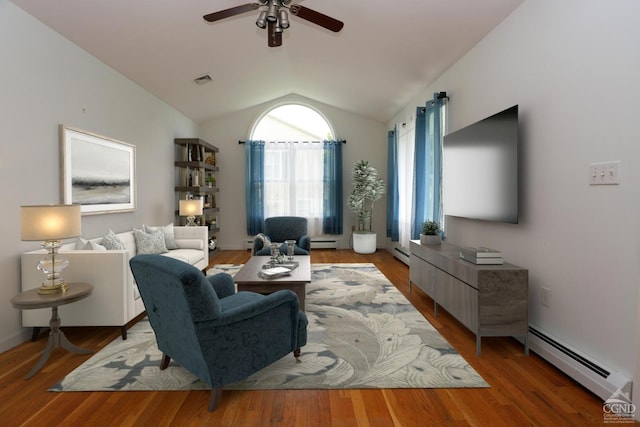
(524, 390)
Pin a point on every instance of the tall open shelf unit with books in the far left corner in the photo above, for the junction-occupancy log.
(196, 168)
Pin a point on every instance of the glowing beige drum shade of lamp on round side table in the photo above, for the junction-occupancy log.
(50, 222)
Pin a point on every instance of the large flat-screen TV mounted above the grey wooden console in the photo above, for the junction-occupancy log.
(480, 169)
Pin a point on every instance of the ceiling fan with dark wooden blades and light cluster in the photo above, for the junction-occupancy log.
(275, 18)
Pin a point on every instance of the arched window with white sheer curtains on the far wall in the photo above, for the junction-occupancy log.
(294, 162)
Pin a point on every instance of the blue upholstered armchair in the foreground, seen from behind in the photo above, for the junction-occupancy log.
(217, 334)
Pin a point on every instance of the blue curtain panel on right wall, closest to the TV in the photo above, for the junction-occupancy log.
(427, 189)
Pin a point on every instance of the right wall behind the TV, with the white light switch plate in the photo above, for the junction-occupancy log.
(572, 66)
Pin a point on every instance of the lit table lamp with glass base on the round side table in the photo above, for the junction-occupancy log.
(50, 224)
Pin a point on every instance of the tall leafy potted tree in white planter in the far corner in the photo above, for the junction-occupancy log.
(367, 188)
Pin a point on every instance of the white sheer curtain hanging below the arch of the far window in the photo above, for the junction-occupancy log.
(294, 182)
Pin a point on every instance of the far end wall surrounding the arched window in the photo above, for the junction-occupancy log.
(366, 139)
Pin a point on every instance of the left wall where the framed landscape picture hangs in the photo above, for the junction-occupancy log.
(45, 81)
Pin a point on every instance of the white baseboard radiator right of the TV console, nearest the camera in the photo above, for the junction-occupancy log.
(594, 376)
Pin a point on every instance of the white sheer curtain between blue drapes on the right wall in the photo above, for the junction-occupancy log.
(406, 144)
